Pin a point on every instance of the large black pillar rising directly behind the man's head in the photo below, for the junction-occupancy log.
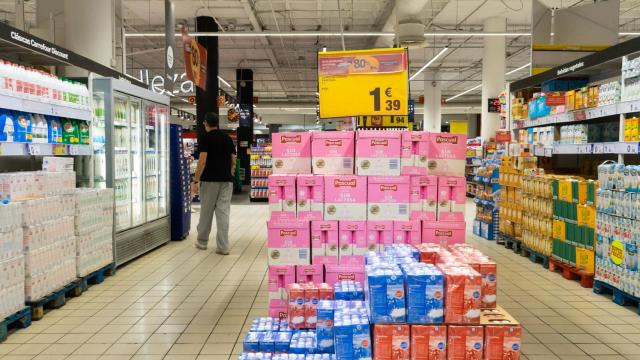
(207, 100)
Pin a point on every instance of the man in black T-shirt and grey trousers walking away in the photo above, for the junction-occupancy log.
(216, 165)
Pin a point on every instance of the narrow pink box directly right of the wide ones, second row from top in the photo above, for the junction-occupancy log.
(423, 197)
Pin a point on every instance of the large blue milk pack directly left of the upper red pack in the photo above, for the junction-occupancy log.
(425, 293)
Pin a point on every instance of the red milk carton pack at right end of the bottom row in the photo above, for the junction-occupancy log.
(502, 342)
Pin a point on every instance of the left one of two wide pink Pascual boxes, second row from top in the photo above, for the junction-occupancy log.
(345, 197)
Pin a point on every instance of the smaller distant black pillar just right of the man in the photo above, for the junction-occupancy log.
(244, 84)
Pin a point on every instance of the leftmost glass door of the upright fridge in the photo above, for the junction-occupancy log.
(122, 160)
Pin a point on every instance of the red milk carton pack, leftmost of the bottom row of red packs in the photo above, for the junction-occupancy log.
(391, 342)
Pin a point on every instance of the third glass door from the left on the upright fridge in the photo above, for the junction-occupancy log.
(151, 162)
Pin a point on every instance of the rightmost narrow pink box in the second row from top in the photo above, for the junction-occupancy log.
(451, 198)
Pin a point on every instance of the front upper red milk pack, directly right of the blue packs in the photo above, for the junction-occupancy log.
(462, 294)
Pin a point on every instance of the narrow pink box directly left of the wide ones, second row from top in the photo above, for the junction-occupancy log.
(310, 197)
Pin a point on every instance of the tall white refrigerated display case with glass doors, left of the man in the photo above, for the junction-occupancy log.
(132, 158)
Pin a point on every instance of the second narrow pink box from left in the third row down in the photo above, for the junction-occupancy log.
(353, 242)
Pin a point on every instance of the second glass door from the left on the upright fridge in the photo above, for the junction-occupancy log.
(137, 201)
